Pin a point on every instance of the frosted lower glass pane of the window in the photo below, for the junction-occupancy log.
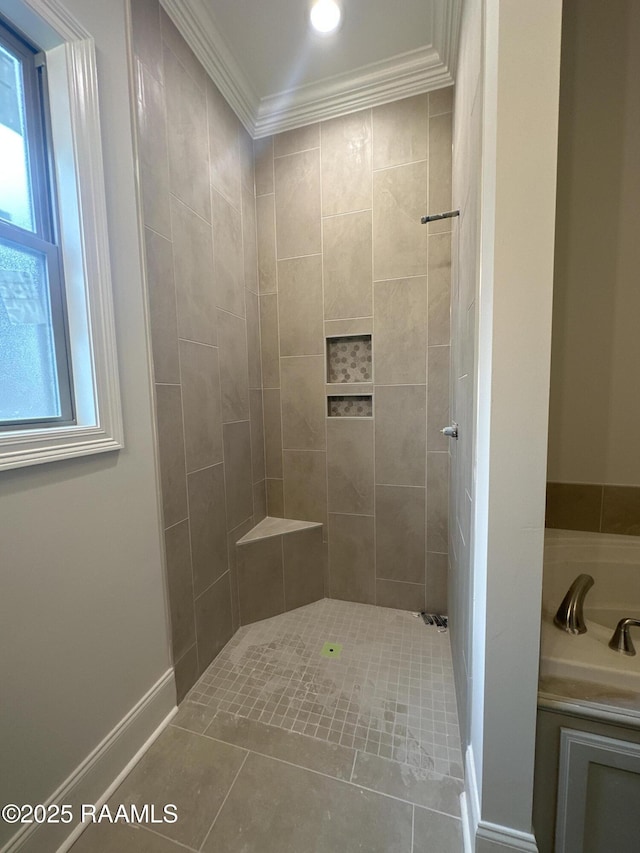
(28, 379)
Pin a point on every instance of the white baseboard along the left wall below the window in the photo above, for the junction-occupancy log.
(95, 779)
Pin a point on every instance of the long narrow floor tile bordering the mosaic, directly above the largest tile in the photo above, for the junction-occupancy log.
(314, 754)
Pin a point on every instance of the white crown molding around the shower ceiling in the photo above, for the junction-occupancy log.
(412, 73)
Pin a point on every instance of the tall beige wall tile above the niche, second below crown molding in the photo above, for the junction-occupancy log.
(347, 265)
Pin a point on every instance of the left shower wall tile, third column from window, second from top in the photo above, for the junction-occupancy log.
(228, 262)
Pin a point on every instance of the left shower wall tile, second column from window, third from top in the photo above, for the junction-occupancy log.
(201, 404)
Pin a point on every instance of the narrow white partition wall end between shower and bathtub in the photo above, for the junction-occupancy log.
(520, 52)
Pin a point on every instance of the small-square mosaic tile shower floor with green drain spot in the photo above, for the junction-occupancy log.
(389, 693)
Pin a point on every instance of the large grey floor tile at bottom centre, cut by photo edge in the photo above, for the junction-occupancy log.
(277, 808)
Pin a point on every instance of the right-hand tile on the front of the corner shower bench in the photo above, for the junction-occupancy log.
(304, 569)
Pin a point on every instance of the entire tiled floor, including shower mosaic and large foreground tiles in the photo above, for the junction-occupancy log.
(278, 749)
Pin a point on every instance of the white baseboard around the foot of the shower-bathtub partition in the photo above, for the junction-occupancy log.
(482, 836)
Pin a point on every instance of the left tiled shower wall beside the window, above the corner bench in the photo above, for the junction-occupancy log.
(197, 181)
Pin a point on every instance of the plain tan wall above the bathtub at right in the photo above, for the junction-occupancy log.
(596, 346)
